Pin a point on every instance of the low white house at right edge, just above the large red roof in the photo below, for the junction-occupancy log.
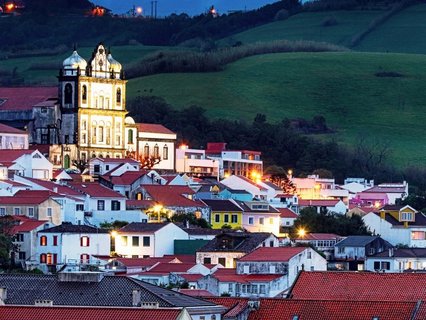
(398, 260)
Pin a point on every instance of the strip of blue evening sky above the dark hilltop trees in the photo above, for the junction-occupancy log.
(191, 7)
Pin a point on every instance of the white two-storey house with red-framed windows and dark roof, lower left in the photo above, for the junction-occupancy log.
(70, 244)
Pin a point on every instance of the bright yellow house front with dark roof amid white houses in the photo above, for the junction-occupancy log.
(225, 212)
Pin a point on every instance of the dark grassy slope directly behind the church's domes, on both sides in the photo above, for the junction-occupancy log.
(123, 54)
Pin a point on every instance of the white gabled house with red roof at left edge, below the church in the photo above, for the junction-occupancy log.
(27, 163)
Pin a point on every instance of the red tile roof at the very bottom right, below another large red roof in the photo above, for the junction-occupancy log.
(277, 309)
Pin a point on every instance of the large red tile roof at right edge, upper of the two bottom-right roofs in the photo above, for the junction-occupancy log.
(359, 286)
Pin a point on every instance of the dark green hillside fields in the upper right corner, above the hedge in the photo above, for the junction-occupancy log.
(403, 32)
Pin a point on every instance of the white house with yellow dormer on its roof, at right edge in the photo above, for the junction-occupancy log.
(398, 225)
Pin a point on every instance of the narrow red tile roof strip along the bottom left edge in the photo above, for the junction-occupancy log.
(86, 313)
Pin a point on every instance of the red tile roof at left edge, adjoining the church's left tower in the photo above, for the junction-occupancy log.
(25, 98)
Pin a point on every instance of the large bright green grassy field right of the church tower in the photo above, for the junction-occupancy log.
(341, 86)
